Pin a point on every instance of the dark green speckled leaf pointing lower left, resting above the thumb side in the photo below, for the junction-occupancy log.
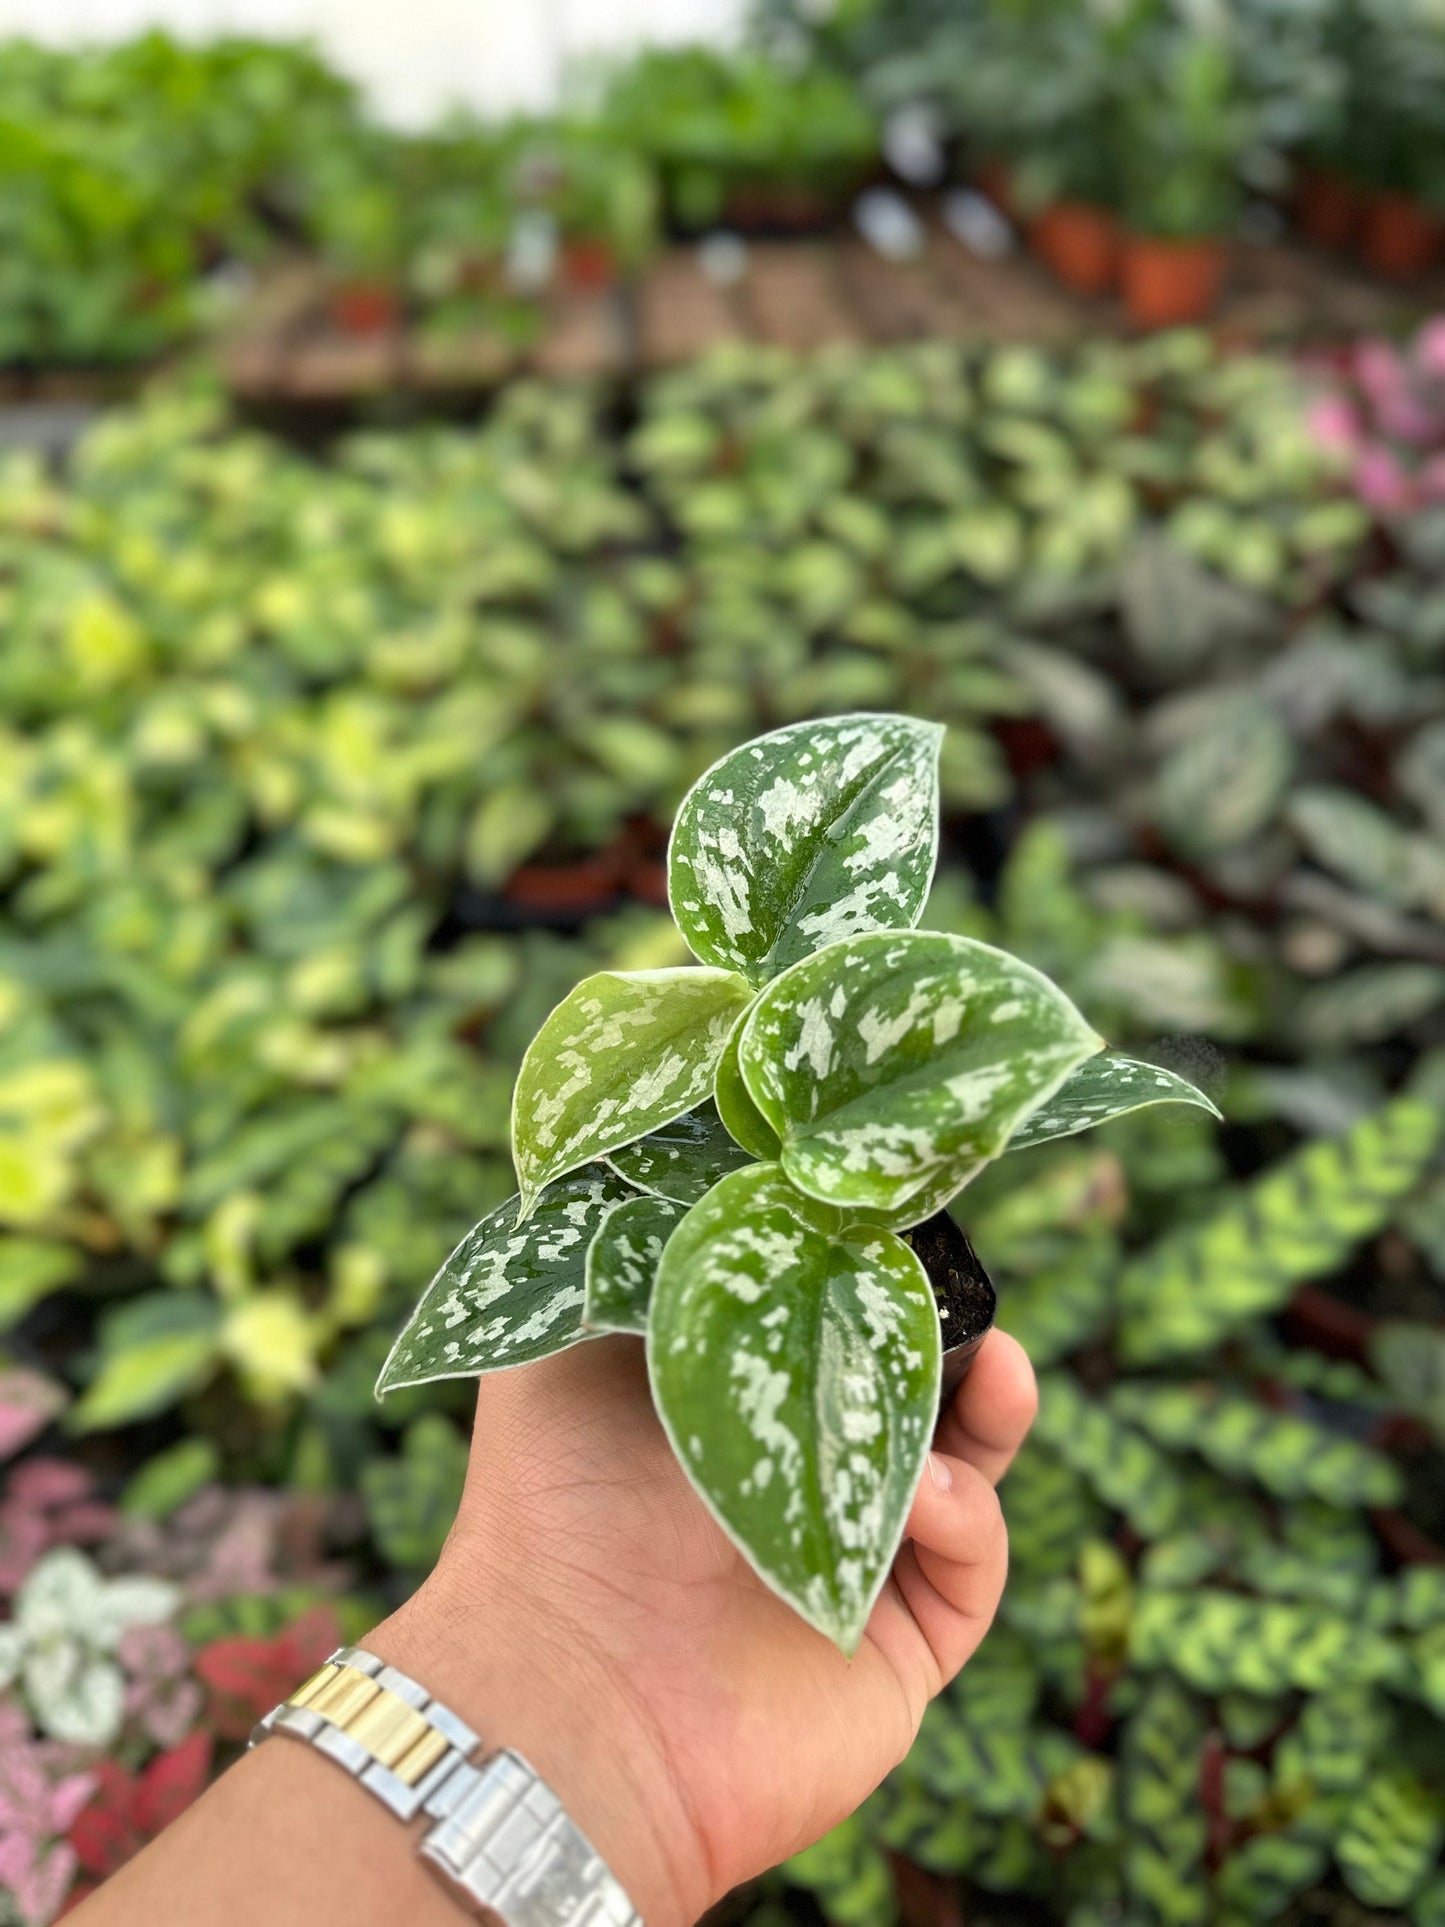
(510, 1294)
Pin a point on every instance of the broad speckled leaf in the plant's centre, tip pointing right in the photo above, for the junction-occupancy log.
(897, 1065)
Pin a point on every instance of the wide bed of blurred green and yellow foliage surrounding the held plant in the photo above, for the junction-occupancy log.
(296, 754)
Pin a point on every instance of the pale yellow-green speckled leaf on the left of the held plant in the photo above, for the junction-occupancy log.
(623, 1055)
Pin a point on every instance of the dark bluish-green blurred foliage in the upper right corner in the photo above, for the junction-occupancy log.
(1163, 111)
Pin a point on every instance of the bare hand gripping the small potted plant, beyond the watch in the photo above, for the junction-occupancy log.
(592, 1614)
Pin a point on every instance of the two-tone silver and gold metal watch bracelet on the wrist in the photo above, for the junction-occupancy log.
(500, 1834)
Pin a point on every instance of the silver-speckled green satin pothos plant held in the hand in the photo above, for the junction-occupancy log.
(722, 1157)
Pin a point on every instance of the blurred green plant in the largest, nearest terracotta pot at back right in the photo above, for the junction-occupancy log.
(1184, 126)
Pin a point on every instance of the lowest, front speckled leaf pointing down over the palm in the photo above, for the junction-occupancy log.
(795, 1365)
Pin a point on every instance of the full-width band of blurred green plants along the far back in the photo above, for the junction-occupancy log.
(140, 182)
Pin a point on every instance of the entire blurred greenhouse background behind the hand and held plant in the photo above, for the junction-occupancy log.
(421, 462)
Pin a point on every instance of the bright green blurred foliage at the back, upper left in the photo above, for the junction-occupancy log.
(142, 180)
